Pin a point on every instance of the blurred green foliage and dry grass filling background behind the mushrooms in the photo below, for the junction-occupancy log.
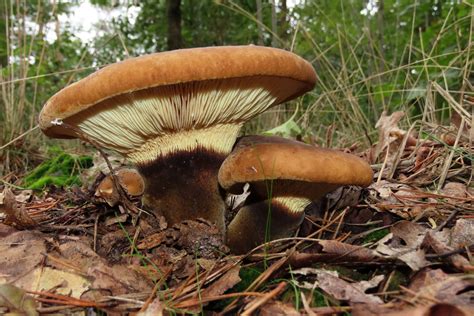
(366, 61)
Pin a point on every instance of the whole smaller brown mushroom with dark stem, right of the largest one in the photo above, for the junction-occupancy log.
(285, 176)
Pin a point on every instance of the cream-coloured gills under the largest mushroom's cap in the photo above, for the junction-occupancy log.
(142, 124)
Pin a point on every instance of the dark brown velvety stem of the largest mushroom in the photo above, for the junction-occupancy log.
(183, 185)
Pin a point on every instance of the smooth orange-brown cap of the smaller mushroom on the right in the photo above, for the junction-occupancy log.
(275, 166)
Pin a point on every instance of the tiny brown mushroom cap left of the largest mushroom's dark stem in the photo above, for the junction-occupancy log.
(129, 179)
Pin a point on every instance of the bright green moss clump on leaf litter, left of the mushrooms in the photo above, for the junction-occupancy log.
(62, 170)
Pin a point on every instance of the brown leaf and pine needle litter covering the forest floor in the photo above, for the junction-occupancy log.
(403, 246)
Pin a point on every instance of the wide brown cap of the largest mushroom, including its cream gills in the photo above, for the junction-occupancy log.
(138, 103)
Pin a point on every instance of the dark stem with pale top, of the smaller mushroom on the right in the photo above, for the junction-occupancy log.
(263, 221)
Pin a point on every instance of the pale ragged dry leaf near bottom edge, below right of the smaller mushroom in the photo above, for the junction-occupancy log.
(330, 283)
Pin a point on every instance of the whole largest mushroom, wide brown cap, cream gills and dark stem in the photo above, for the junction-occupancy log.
(176, 116)
